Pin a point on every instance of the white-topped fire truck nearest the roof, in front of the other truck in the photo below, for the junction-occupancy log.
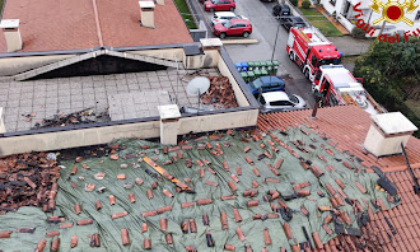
(338, 86)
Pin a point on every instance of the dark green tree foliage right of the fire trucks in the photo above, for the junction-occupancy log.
(391, 74)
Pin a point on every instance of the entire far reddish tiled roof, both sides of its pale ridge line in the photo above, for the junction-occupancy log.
(48, 25)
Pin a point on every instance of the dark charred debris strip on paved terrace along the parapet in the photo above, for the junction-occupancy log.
(60, 119)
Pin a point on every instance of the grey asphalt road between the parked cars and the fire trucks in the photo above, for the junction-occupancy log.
(265, 27)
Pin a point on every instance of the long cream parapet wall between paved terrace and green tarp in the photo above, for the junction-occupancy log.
(142, 130)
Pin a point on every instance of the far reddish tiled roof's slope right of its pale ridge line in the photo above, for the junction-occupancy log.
(120, 24)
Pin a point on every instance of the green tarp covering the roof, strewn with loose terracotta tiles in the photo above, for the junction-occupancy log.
(288, 189)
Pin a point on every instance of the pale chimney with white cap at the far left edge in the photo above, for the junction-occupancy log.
(12, 34)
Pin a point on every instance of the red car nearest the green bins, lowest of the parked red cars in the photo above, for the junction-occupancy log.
(233, 27)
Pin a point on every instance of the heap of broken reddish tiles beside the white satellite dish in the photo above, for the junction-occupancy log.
(220, 93)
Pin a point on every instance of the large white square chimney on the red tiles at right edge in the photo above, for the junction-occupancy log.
(387, 132)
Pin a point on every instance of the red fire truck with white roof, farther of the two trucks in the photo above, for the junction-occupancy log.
(310, 50)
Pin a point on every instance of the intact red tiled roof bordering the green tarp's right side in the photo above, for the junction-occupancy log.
(347, 126)
